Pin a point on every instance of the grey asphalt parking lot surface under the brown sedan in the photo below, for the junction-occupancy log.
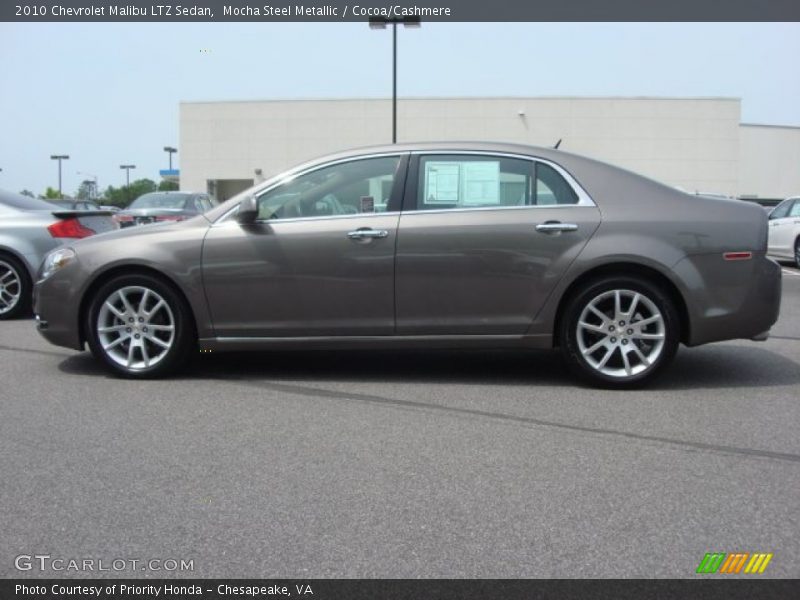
(402, 465)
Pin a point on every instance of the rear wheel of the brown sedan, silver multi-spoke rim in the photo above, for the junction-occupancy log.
(634, 353)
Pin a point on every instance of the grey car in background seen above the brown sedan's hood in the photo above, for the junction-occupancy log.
(157, 207)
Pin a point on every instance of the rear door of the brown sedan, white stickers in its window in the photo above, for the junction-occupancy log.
(483, 239)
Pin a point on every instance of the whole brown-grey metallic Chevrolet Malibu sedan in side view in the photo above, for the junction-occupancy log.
(426, 245)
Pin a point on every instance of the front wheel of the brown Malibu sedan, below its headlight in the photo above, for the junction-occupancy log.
(143, 357)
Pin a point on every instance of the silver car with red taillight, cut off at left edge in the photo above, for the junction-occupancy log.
(29, 229)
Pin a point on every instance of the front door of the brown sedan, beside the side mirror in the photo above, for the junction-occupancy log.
(319, 260)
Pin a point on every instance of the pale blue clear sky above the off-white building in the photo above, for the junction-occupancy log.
(108, 93)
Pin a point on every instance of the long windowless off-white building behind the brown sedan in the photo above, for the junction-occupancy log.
(697, 144)
